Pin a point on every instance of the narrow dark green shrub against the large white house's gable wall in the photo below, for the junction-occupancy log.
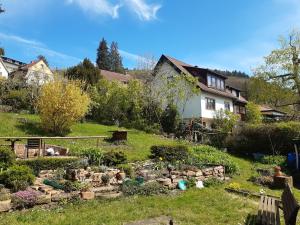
(170, 119)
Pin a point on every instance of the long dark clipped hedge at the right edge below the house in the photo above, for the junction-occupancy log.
(273, 138)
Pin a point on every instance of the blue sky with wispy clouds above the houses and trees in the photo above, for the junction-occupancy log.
(221, 34)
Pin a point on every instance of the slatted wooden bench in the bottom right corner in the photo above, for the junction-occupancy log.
(268, 212)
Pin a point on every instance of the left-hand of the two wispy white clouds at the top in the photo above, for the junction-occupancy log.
(101, 7)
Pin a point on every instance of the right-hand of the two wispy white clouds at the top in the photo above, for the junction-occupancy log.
(143, 10)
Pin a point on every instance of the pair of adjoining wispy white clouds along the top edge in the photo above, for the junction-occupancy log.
(144, 11)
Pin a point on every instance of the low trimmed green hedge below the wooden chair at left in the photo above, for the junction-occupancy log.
(50, 163)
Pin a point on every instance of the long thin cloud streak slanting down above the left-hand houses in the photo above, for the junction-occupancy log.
(34, 47)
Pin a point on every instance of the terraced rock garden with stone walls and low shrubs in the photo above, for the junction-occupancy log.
(98, 174)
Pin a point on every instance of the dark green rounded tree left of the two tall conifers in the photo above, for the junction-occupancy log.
(84, 71)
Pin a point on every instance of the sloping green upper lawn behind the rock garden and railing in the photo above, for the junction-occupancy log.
(137, 147)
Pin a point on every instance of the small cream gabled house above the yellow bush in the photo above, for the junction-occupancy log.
(36, 72)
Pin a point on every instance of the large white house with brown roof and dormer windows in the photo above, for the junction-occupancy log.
(215, 93)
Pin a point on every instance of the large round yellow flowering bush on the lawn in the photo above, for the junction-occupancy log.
(60, 105)
